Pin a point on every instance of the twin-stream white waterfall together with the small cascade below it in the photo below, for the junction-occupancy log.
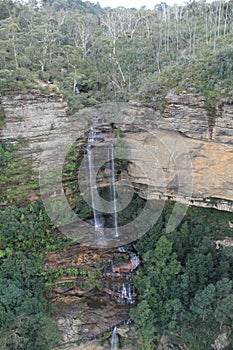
(101, 166)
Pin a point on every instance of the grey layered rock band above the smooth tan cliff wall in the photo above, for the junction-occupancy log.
(186, 114)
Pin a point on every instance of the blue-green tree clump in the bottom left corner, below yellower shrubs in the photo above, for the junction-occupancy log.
(24, 315)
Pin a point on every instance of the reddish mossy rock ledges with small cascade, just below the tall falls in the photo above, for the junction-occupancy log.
(94, 271)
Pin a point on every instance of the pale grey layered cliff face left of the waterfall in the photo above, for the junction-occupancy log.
(40, 120)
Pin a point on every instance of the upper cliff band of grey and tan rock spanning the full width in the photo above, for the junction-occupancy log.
(182, 150)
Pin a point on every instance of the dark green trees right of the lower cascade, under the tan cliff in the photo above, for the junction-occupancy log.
(185, 283)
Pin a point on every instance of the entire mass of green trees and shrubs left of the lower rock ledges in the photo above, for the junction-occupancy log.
(25, 236)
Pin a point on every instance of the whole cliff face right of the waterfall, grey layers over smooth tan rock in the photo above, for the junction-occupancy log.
(182, 151)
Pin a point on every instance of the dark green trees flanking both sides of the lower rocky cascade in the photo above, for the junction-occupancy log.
(184, 282)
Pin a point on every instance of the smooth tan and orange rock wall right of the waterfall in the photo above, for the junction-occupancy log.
(206, 173)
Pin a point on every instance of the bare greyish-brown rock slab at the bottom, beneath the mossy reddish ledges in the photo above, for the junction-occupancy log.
(87, 318)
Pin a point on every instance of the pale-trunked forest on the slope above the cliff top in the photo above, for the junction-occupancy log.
(117, 54)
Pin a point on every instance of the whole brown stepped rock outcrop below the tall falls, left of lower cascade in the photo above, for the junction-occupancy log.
(84, 310)
